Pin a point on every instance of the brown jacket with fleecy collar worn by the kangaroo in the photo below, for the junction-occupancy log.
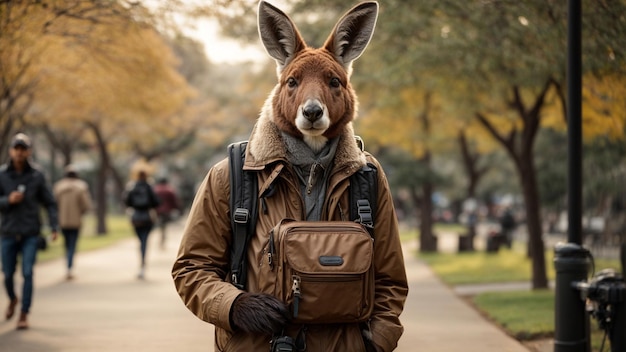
(200, 271)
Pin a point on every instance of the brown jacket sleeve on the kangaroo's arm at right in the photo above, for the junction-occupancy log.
(391, 282)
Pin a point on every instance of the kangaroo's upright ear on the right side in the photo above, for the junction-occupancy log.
(352, 33)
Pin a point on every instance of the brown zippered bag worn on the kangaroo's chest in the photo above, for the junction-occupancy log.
(328, 276)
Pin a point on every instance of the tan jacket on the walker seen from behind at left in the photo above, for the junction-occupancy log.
(72, 195)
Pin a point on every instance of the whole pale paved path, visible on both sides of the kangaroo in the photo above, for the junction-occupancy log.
(107, 309)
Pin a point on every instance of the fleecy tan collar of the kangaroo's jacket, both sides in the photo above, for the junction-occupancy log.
(266, 146)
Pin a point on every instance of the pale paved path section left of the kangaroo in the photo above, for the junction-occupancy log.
(106, 308)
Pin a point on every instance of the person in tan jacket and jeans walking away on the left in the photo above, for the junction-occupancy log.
(72, 196)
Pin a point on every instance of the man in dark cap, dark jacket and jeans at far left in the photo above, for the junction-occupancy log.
(23, 190)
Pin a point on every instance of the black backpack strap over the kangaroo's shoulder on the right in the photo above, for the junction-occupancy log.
(364, 196)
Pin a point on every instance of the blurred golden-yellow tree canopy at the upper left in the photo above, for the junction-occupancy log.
(103, 68)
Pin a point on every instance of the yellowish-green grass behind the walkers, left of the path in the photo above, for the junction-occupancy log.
(118, 227)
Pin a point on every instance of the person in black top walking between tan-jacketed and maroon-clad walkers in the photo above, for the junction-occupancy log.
(142, 199)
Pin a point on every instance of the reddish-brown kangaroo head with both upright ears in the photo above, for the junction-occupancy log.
(313, 99)
